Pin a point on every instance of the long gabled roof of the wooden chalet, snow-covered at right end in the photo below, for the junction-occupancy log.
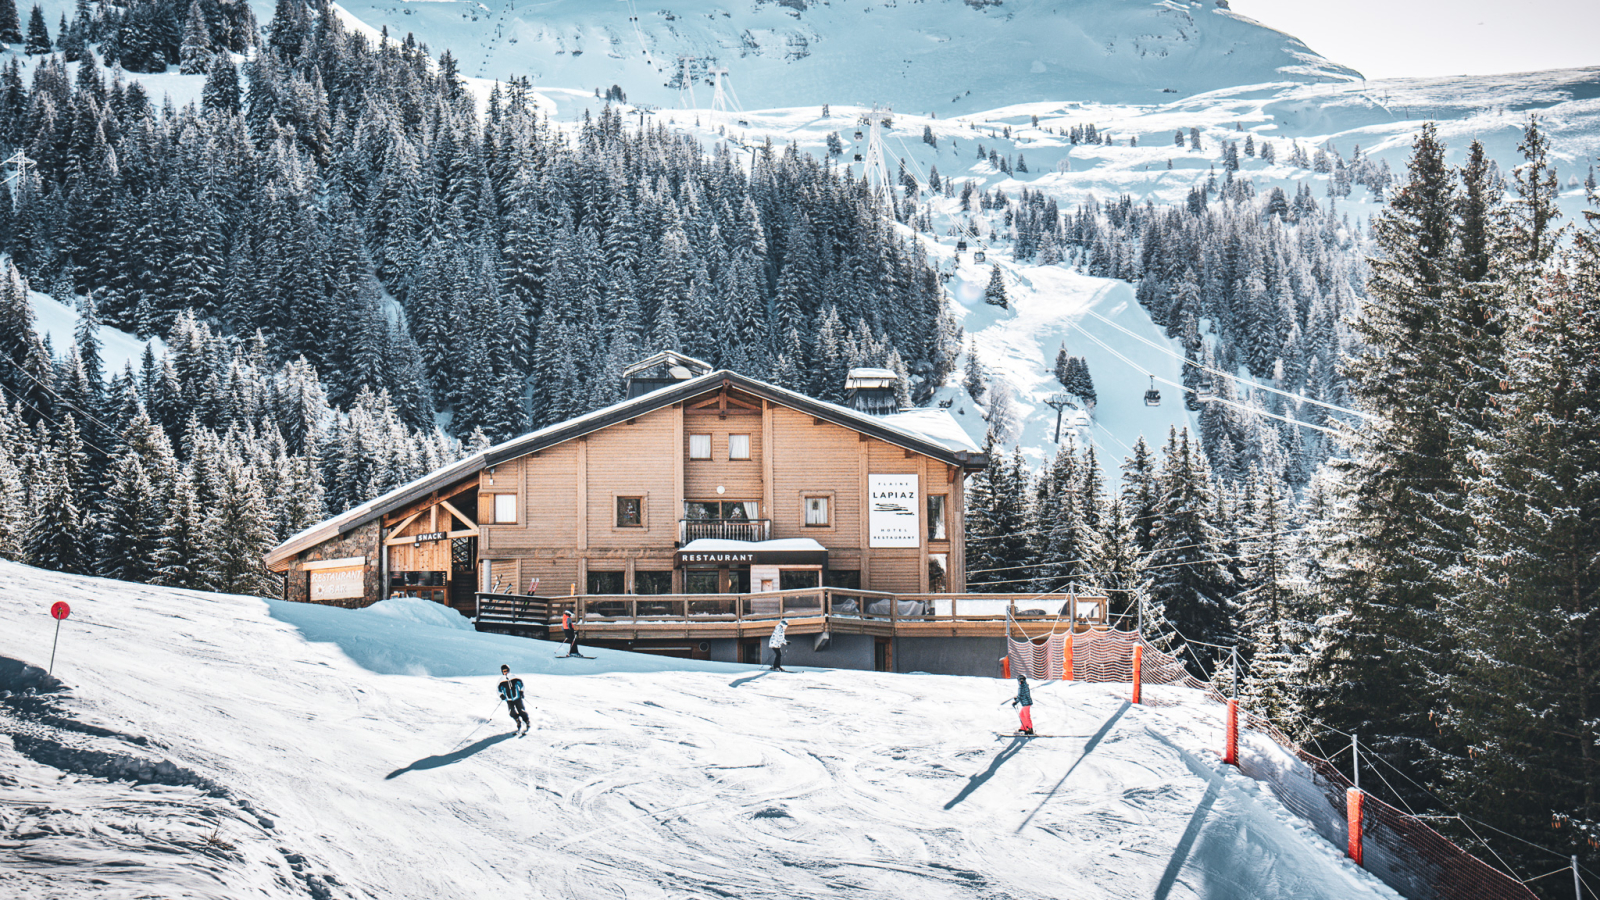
(916, 432)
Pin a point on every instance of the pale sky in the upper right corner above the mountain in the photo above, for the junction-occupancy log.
(1391, 39)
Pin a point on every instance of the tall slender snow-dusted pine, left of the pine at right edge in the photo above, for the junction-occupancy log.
(1383, 645)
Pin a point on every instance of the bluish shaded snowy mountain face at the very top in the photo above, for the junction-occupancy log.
(926, 55)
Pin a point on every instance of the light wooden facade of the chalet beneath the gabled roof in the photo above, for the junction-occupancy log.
(606, 504)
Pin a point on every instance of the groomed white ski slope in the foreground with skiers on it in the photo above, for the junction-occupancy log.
(206, 747)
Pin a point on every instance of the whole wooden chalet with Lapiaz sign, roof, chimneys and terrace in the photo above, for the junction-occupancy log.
(686, 520)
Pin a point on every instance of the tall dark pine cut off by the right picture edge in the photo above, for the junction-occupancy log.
(1527, 699)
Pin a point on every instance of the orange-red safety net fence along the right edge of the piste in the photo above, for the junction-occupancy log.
(1398, 848)
